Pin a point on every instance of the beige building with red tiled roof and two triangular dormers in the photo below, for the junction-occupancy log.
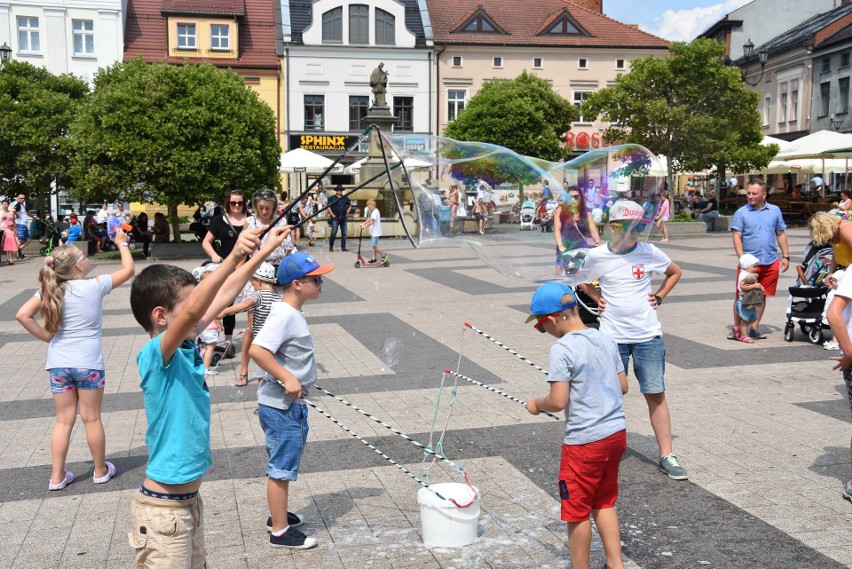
(572, 45)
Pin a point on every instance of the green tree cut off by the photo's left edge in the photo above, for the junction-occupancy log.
(37, 108)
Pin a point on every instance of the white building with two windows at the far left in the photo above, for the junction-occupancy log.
(64, 36)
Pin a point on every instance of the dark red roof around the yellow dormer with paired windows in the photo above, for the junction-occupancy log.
(146, 31)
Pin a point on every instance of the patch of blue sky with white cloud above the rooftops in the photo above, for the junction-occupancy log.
(674, 20)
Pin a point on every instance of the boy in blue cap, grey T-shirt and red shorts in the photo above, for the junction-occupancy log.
(587, 381)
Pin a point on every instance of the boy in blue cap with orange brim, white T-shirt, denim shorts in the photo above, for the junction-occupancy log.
(284, 350)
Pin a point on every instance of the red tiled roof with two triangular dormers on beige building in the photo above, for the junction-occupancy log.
(524, 26)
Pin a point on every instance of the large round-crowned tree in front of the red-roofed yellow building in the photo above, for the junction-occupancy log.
(172, 134)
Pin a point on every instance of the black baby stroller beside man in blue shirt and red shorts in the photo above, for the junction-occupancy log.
(807, 300)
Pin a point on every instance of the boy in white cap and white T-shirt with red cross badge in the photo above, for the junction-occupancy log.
(629, 313)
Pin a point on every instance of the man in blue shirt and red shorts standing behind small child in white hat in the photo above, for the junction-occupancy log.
(756, 228)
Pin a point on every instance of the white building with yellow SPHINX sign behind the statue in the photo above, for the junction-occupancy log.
(328, 50)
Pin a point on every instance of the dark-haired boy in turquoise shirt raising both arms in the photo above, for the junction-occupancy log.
(167, 514)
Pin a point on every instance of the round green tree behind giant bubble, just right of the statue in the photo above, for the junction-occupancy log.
(523, 114)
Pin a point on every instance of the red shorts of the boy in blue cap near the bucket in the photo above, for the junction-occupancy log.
(588, 476)
